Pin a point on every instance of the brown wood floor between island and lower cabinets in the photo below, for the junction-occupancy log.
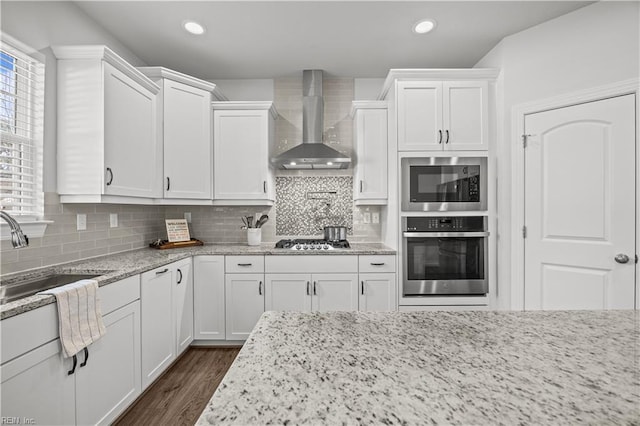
(180, 395)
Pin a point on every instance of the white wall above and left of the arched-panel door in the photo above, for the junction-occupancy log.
(593, 46)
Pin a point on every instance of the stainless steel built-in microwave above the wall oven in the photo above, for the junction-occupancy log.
(444, 184)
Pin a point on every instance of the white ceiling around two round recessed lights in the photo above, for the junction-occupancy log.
(270, 39)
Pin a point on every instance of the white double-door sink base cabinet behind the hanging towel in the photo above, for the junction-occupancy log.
(36, 384)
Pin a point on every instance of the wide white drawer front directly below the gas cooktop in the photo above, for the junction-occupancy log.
(300, 264)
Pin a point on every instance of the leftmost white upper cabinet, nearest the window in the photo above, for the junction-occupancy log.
(108, 148)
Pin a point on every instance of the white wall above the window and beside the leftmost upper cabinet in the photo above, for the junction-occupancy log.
(44, 24)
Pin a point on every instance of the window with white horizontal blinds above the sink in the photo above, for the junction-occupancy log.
(21, 130)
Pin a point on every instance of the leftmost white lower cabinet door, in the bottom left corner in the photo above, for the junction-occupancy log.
(36, 386)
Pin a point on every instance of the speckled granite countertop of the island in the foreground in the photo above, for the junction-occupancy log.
(563, 367)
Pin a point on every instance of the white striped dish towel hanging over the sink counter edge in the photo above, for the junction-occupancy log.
(79, 315)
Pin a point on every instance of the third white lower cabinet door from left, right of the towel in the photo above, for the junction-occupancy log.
(157, 322)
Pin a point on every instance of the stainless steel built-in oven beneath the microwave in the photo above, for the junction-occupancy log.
(445, 256)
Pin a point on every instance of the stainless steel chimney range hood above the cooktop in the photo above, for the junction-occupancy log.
(312, 153)
